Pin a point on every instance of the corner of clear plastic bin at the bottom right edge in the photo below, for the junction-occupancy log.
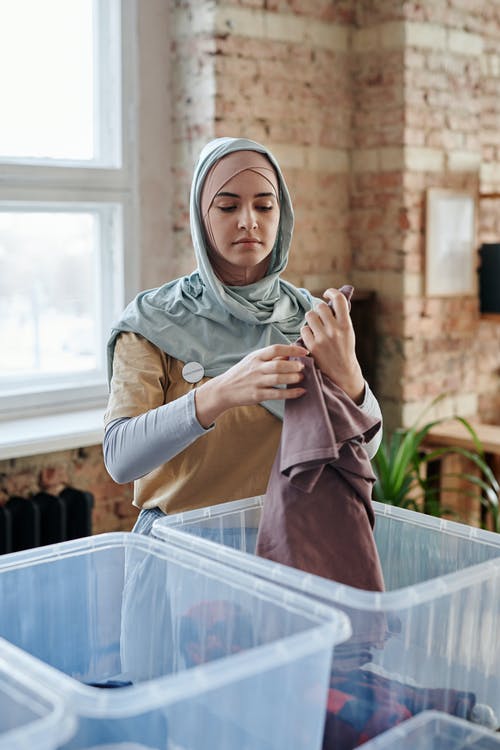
(433, 730)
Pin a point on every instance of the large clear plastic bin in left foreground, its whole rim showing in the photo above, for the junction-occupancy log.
(159, 647)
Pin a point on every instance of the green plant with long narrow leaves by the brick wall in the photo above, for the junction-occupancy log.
(401, 467)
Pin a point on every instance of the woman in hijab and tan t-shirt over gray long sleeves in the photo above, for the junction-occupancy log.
(201, 366)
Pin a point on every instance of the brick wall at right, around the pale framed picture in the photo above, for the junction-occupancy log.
(428, 65)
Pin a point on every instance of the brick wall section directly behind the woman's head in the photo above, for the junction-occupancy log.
(256, 65)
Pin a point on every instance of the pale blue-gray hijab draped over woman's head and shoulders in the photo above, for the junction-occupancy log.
(198, 317)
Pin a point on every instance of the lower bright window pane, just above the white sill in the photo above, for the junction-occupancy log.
(49, 293)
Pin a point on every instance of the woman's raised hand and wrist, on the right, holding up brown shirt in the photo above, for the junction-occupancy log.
(329, 336)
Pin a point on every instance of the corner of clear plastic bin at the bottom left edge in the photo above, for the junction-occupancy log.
(30, 715)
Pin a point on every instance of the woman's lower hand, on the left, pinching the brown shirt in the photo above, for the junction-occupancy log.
(252, 380)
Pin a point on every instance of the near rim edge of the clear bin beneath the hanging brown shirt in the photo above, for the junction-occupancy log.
(336, 593)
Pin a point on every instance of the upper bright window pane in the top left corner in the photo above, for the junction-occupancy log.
(56, 76)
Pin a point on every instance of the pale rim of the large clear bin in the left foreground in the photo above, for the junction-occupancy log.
(328, 628)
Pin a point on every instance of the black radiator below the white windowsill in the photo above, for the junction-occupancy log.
(45, 519)
